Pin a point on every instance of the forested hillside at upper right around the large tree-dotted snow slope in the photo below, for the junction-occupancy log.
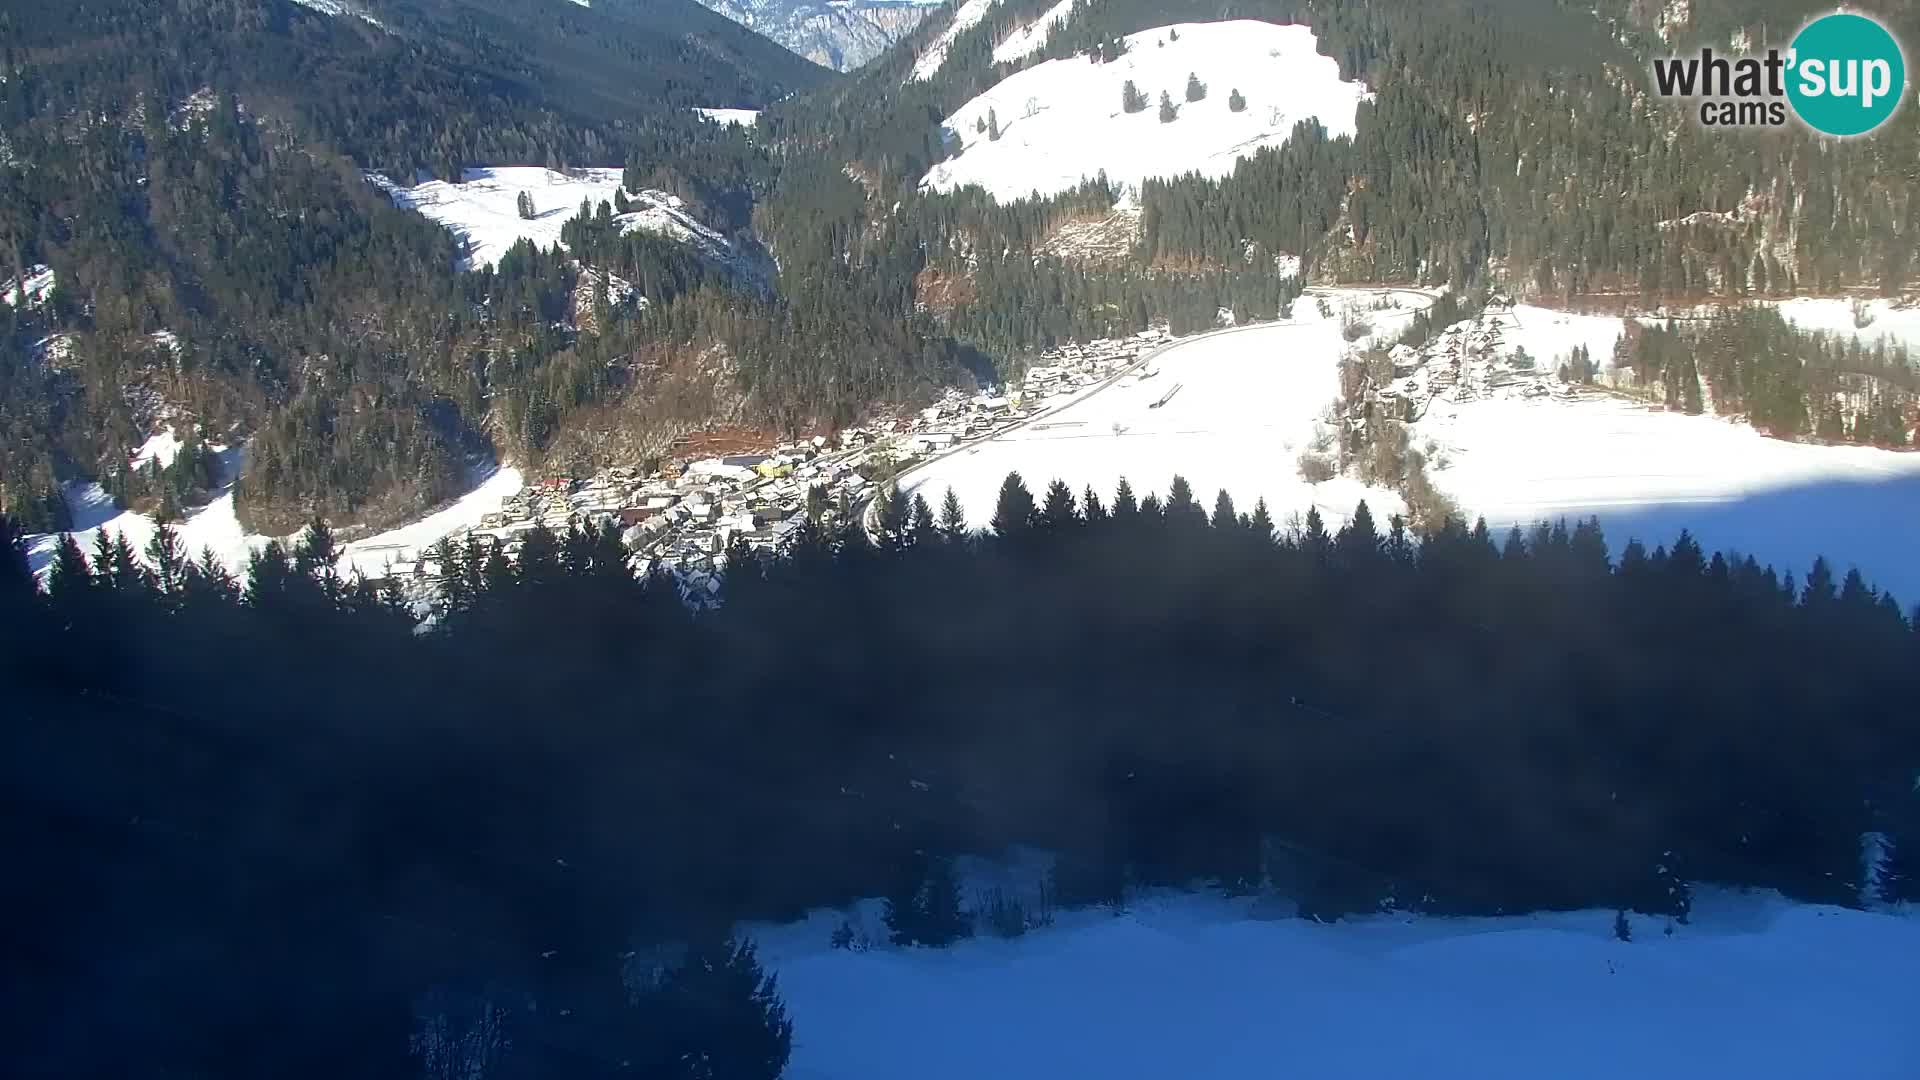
(1508, 141)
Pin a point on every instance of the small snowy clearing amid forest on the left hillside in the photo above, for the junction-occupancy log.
(485, 210)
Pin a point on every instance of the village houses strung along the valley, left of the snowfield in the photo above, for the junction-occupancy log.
(684, 516)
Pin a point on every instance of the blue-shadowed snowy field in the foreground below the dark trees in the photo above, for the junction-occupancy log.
(1197, 989)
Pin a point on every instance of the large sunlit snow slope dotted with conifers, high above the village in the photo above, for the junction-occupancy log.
(1063, 122)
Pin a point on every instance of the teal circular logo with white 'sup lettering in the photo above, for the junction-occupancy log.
(1846, 74)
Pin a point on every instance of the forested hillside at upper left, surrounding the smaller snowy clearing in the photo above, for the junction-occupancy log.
(189, 174)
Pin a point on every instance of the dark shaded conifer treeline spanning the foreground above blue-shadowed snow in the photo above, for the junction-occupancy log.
(329, 816)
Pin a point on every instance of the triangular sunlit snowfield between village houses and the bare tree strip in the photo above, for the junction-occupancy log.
(1245, 410)
